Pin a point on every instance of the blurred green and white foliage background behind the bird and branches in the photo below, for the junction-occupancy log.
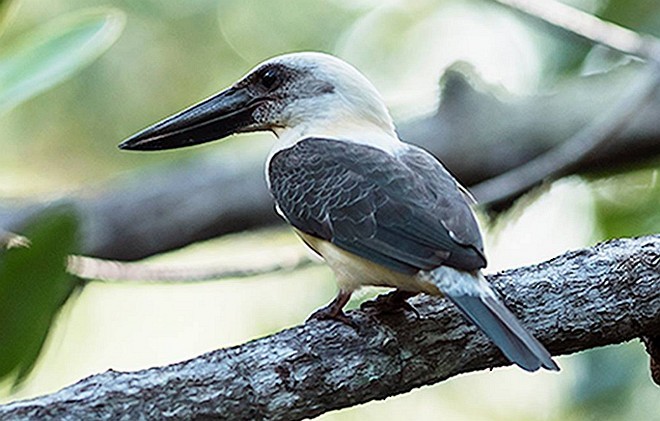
(77, 77)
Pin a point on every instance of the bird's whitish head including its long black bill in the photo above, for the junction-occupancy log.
(299, 91)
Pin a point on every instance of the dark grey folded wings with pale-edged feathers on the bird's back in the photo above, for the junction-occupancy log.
(405, 212)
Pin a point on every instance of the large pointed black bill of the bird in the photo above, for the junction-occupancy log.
(214, 118)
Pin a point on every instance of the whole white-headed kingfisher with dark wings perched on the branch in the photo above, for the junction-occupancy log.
(378, 210)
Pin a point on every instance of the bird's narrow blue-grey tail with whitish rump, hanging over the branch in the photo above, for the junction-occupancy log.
(477, 301)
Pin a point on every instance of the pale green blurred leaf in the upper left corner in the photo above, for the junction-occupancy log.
(55, 52)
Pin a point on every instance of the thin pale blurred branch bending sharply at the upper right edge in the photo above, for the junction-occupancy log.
(506, 187)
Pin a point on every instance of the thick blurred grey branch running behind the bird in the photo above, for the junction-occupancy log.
(477, 136)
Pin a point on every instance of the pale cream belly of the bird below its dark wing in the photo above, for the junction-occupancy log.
(352, 271)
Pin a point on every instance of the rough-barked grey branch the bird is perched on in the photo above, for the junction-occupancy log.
(584, 299)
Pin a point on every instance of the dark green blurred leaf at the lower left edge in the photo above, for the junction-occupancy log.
(34, 285)
